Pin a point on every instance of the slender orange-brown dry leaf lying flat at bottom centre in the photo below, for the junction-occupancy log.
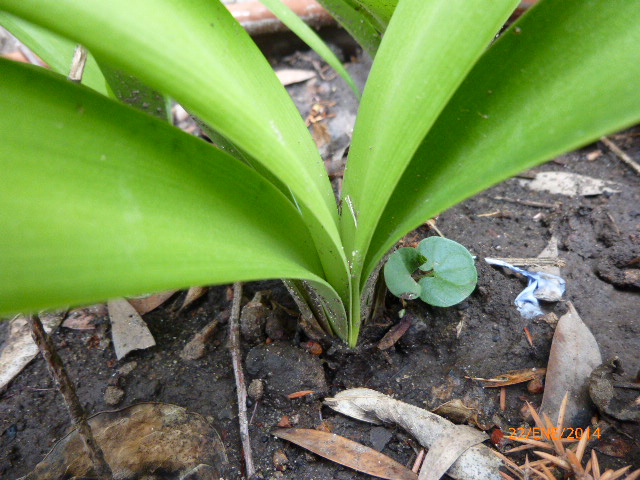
(347, 452)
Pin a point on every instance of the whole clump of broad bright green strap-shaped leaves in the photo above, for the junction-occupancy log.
(99, 199)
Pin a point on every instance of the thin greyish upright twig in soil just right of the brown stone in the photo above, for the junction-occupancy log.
(241, 386)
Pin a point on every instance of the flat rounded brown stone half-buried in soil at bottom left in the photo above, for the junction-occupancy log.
(139, 442)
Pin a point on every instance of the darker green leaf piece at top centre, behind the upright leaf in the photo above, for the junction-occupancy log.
(359, 24)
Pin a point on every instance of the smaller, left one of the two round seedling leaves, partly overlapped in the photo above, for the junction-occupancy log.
(397, 273)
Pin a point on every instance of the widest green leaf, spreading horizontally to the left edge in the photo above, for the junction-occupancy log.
(100, 200)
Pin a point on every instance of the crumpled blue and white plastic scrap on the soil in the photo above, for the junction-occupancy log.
(542, 286)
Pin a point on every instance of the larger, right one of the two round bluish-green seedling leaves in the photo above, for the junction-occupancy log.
(451, 271)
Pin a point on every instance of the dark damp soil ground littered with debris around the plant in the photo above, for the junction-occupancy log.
(482, 337)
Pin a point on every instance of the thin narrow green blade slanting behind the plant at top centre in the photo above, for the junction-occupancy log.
(311, 38)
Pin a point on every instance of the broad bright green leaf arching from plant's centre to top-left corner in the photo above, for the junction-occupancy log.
(210, 65)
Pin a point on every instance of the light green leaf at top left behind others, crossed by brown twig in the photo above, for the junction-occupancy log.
(55, 50)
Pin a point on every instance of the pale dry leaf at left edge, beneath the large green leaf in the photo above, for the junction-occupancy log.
(18, 349)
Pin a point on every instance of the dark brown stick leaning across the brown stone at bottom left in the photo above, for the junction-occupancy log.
(66, 388)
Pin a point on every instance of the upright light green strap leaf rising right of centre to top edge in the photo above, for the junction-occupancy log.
(427, 51)
